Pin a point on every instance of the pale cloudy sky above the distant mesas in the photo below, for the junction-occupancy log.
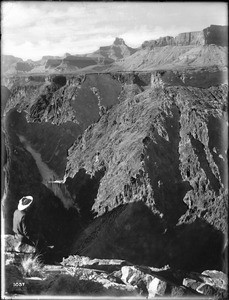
(32, 29)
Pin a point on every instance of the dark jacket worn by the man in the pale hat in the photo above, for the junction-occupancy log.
(20, 226)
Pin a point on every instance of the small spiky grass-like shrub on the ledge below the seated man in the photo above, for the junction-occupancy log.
(31, 265)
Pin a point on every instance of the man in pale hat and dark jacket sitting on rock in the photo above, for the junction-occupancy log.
(24, 241)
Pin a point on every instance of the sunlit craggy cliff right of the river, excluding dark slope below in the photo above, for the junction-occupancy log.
(149, 144)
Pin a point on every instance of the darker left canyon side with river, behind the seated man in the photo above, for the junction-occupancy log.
(43, 117)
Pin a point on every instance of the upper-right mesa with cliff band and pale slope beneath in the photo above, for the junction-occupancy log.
(206, 48)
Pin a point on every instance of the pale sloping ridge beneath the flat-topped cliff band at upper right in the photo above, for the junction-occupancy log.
(174, 58)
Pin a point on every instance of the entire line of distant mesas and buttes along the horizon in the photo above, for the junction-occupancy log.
(205, 48)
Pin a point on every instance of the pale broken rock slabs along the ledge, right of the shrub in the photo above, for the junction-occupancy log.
(152, 282)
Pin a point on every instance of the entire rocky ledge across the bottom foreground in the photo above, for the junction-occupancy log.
(82, 276)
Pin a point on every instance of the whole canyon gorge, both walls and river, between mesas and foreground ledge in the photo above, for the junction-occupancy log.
(136, 159)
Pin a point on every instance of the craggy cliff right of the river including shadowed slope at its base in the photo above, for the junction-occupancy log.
(164, 182)
